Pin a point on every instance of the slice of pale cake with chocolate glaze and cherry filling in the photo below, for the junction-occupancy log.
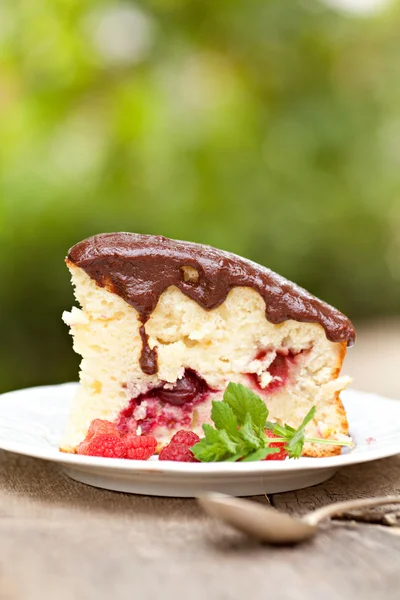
(165, 325)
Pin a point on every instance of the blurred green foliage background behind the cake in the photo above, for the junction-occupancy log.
(267, 127)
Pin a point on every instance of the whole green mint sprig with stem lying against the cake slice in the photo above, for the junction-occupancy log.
(240, 421)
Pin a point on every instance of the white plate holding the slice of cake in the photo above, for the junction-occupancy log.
(32, 422)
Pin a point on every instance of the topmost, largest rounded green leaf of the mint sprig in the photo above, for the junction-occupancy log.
(242, 400)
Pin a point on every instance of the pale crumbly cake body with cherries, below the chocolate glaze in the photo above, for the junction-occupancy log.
(292, 365)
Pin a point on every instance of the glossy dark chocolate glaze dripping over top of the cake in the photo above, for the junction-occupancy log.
(139, 268)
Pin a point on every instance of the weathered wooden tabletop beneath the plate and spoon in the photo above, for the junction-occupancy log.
(65, 541)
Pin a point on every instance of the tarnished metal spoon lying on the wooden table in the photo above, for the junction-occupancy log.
(267, 524)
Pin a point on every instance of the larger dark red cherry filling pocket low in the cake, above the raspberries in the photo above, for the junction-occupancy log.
(165, 406)
